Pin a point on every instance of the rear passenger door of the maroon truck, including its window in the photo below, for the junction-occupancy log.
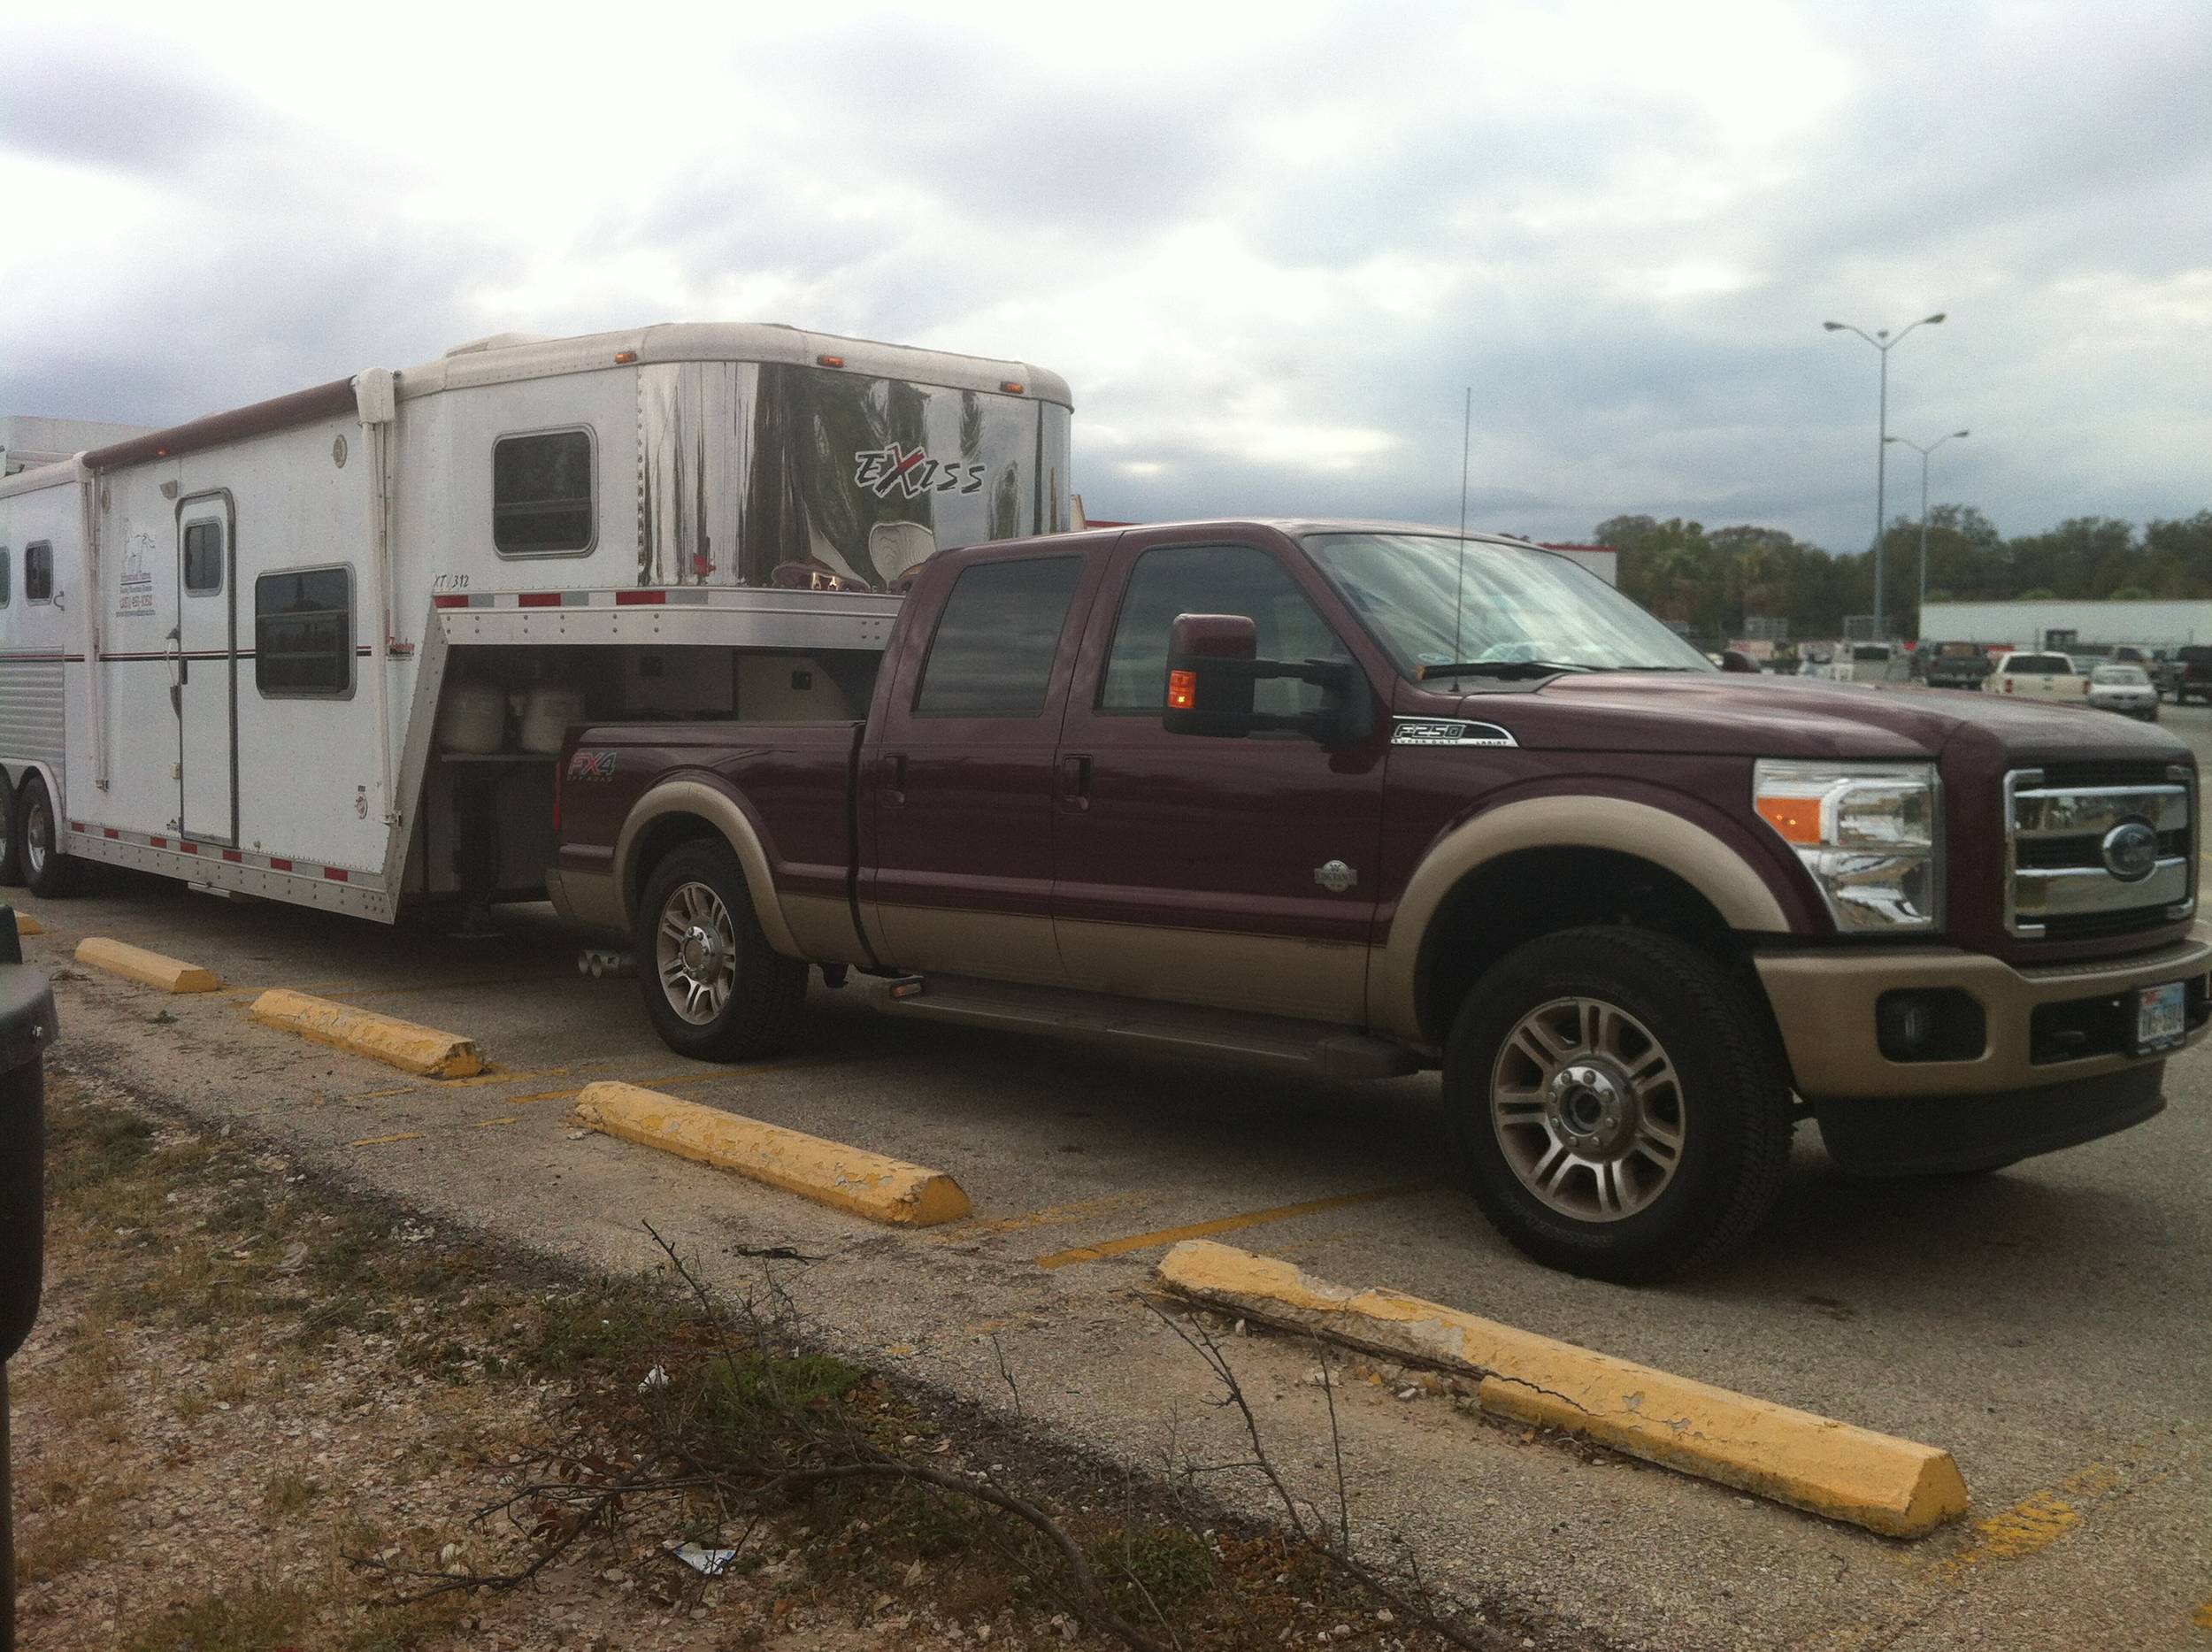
(959, 784)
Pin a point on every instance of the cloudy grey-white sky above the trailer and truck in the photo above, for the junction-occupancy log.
(1269, 247)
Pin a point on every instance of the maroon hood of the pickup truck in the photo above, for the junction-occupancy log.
(1740, 715)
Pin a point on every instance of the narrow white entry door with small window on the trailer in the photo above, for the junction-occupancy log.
(207, 671)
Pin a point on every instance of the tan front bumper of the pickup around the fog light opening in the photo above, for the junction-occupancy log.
(1824, 1005)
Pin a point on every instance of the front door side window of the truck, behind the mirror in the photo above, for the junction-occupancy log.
(1211, 581)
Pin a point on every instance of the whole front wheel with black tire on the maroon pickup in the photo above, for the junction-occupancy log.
(1722, 1091)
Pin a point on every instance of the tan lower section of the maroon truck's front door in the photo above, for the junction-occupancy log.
(1311, 981)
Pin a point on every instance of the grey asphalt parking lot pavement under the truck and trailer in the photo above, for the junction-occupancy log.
(2047, 1326)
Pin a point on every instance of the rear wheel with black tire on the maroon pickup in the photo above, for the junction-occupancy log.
(744, 994)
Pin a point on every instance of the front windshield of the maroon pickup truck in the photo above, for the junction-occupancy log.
(1437, 603)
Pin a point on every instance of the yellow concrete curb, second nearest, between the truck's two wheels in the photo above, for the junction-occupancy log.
(828, 1173)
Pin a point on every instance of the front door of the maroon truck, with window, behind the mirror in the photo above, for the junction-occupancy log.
(1224, 872)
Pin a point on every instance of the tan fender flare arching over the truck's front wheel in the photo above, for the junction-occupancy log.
(1623, 826)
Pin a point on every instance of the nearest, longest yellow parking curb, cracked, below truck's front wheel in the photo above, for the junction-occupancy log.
(1797, 1458)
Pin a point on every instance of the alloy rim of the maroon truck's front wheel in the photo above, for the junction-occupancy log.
(1587, 1109)
